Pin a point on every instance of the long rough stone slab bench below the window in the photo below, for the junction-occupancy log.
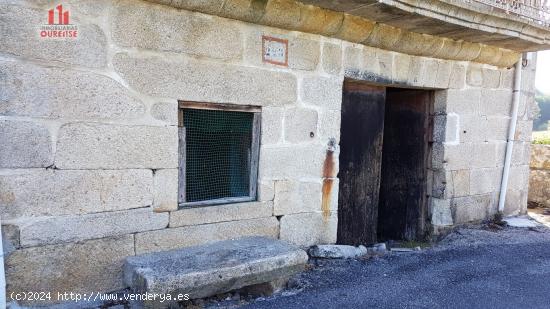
(214, 268)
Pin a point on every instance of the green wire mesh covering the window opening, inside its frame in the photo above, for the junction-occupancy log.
(218, 147)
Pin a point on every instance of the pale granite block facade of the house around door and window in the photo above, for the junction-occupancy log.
(89, 135)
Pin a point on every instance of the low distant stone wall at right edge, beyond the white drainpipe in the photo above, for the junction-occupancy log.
(539, 178)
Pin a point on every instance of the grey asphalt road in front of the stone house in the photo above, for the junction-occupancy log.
(469, 269)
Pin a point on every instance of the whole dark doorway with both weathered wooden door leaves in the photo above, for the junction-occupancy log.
(384, 163)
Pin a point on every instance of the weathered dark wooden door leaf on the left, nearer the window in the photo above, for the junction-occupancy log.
(360, 162)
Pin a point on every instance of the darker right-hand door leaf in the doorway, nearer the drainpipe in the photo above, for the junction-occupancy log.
(404, 164)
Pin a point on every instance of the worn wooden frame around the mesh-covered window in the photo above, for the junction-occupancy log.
(254, 152)
